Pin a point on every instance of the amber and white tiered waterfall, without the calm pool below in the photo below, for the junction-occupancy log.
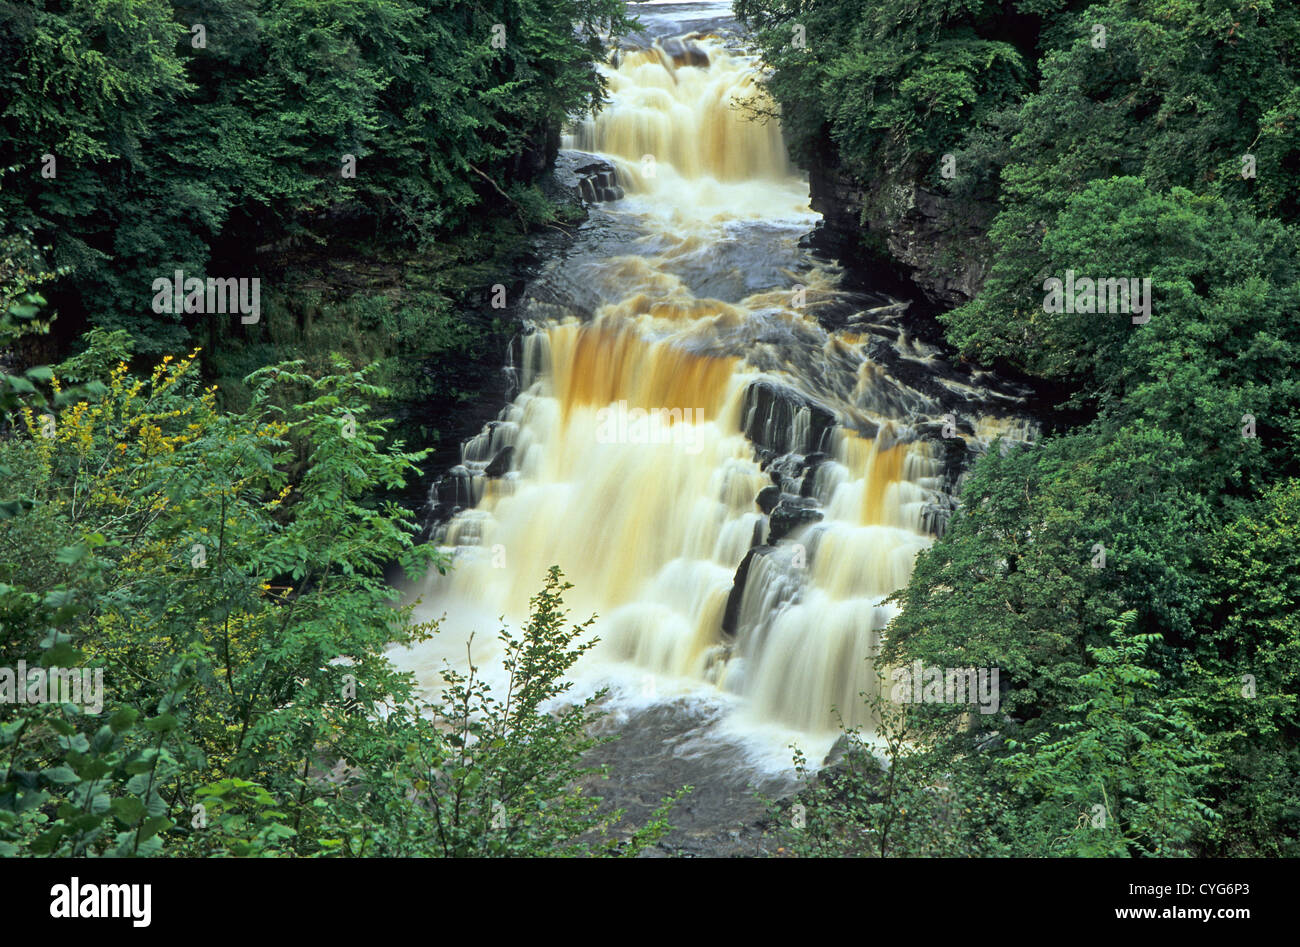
(731, 487)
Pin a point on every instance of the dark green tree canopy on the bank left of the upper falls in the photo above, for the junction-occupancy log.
(141, 137)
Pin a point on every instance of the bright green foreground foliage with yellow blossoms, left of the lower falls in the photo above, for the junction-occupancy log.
(226, 574)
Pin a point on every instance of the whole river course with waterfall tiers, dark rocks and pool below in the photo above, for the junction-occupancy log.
(733, 451)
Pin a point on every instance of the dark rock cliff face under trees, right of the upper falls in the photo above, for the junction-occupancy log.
(933, 240)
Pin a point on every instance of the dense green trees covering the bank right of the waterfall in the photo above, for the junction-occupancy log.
(1132, 577)
